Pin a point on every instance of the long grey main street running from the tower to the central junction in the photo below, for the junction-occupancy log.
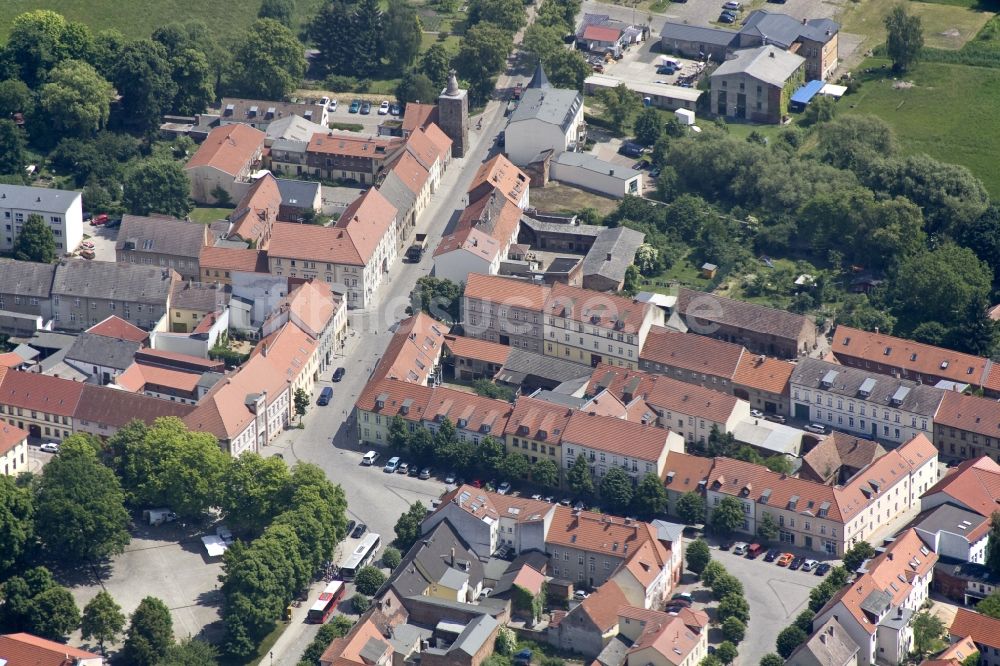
(328, 439)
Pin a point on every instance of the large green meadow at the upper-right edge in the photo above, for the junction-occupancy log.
(959, 132)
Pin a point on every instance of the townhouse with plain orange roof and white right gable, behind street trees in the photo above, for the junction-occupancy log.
(606, 441)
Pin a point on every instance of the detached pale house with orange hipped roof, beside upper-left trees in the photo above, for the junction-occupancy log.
(226, 159)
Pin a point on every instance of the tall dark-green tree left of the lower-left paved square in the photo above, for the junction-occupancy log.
(79, 505)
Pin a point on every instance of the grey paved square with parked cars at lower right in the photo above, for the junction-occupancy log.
(775, 594)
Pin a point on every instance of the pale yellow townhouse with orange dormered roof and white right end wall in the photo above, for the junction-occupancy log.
(591, 327)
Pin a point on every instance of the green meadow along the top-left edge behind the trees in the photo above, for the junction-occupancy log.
(138, 18)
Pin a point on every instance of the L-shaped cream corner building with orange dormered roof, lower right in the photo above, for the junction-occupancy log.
(824, 518)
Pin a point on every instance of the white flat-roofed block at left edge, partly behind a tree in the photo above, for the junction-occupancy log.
(61, 210)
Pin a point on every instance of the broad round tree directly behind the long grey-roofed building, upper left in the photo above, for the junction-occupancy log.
(268, 61)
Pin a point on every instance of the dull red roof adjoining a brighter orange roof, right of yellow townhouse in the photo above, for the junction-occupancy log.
(690, 351)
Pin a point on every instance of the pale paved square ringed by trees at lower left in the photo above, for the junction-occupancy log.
(167, 562)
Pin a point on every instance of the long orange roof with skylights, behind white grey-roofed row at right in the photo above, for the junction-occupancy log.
(880, 350)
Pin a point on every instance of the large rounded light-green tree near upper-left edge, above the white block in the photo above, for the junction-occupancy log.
(75, 101)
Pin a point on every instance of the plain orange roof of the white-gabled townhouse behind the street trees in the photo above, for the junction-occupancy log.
(617, 436)
